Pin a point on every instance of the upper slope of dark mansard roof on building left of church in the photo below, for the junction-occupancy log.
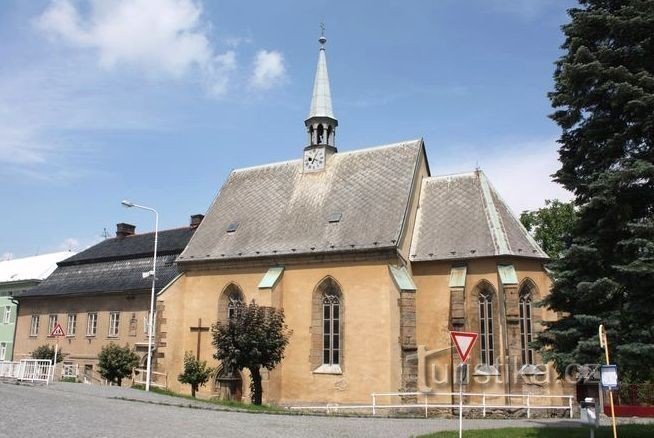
(169, 242)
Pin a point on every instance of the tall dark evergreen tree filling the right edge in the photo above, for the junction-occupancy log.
(604, 103)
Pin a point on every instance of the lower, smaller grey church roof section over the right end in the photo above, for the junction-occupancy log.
(462, 216)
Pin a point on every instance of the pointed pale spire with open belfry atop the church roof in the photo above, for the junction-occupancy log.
(321, 123)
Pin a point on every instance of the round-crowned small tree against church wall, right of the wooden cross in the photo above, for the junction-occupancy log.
(254, 338)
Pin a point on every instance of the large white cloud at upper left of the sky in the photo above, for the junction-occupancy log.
(160, 37)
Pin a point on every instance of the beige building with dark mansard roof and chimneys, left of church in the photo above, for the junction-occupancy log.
(100, 295)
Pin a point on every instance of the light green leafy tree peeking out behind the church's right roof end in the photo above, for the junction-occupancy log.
(551, 226)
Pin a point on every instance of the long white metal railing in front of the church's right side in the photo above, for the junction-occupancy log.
(481, 400)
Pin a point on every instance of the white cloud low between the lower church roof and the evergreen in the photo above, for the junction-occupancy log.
(520, 172)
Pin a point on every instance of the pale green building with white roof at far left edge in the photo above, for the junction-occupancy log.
(16, 276)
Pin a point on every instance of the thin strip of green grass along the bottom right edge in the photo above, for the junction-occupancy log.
(627, 430)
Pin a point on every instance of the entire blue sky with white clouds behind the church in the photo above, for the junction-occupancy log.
(156, 101)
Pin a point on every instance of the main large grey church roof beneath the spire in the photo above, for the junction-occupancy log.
(358, 202)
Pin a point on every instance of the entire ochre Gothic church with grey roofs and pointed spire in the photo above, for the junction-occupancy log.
(374, 261)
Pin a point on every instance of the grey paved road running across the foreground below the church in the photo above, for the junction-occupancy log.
(77, 410)
